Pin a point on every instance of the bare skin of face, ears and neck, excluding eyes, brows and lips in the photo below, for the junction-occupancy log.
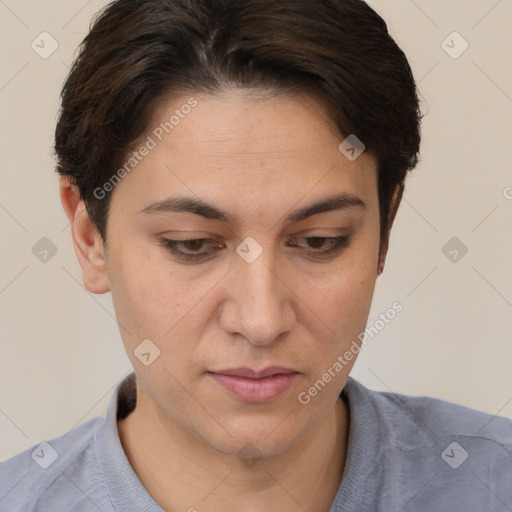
(258, 157)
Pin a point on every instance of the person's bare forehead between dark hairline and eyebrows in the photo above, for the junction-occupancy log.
(276, 149)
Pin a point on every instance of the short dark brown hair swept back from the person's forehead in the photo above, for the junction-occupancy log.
(140, 51)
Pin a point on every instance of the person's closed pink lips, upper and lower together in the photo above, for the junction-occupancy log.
(254, 386)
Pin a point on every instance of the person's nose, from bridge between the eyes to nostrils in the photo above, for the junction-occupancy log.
(259, 303)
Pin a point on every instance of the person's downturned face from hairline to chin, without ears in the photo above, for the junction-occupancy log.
(214, 254)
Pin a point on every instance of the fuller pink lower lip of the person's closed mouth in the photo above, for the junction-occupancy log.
(255, 390)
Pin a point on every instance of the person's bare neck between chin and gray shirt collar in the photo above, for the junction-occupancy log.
(181, 472)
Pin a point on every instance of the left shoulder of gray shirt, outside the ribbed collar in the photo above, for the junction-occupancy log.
(65, 466)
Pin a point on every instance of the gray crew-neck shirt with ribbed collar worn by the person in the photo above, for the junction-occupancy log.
(407, 454)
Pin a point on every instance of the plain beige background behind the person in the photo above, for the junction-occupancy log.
(61, 352)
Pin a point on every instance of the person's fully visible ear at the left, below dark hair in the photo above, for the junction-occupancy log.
(86, 238)
